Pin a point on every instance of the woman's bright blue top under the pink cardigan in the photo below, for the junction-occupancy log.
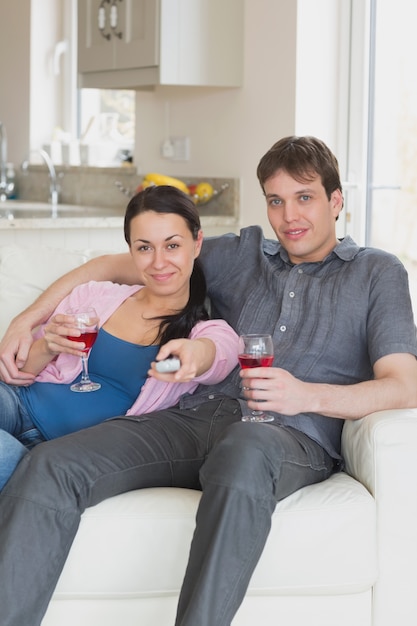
(120, 366)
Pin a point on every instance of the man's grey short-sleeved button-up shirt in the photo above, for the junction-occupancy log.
(330, 321)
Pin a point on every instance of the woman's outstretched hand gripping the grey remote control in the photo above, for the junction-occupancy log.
(196, 357)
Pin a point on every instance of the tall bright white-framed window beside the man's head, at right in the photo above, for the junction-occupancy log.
(383, 123)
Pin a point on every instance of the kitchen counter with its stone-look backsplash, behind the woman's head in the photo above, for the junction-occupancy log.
(92, 208)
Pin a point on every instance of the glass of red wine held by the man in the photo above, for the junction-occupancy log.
(256, 351)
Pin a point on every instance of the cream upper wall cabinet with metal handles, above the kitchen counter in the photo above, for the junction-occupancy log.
(133, 44)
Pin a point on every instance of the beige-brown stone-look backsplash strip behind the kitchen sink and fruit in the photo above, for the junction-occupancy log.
(91, 186)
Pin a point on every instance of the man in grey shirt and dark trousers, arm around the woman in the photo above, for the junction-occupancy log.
(344, 348)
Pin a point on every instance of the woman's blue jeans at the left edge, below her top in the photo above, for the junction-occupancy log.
(18, 434)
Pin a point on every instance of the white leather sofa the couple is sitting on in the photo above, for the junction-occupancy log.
(343, 552)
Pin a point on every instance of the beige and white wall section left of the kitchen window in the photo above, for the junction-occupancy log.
(29, 87)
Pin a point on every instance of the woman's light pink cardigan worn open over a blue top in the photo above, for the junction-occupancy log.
(106, 297)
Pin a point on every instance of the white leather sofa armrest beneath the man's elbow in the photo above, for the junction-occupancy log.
(380, 451)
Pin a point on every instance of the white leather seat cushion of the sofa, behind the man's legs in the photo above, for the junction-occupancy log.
(151, 532)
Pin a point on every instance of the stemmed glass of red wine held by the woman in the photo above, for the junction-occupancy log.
(86, 319)
